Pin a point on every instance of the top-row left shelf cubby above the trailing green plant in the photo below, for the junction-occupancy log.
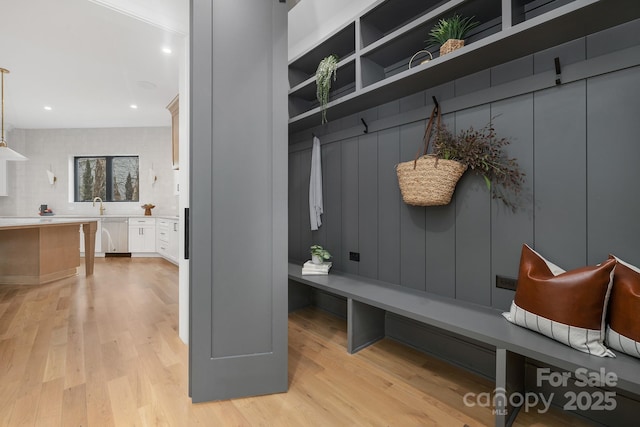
(342, 43)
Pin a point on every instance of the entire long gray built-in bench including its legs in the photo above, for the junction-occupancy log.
(368, 300)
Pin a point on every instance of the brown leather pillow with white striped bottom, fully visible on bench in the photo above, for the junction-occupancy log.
(567, 306)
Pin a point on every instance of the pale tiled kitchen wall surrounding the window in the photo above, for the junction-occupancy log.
(52, 149)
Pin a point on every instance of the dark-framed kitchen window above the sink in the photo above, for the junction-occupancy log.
(112, 178)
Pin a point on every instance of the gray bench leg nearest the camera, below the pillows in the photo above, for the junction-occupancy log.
(509, 380)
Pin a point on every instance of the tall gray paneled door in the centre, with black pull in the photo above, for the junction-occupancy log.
(238, 191)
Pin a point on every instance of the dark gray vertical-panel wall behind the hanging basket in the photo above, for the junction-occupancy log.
(577, 143)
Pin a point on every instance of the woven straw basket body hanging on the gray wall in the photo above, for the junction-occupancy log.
(429, 181)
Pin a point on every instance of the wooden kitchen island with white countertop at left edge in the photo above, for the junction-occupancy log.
(39, 250)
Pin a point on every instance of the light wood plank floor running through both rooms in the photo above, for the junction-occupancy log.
(104, 351)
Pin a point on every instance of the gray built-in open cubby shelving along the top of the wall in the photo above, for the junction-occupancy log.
(510, 29)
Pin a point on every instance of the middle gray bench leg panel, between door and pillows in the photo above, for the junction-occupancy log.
(365, 325)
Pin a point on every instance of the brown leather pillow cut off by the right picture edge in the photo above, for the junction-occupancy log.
(623, 332)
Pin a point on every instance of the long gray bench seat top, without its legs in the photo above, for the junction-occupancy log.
(470, 320)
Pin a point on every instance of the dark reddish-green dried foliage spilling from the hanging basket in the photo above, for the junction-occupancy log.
(483, 153)
